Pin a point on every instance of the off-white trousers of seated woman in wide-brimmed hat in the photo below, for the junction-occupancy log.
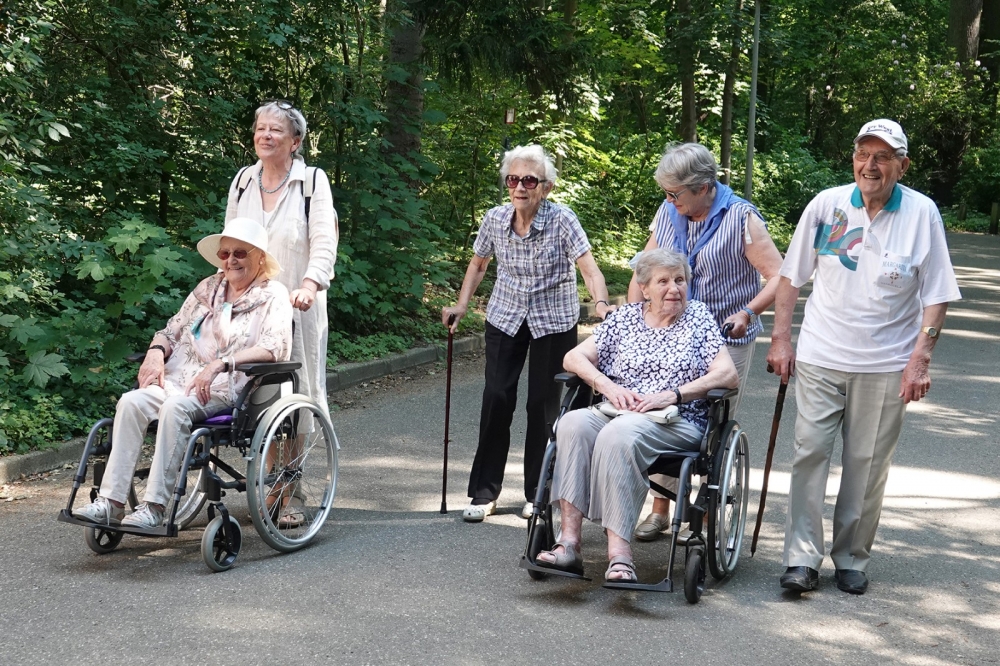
(136, 410)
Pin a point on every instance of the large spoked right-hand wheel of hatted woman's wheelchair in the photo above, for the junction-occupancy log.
(292, 478)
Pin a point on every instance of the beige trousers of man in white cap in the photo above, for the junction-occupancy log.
(868, 412)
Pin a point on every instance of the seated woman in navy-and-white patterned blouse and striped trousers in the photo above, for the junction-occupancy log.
(645, 357)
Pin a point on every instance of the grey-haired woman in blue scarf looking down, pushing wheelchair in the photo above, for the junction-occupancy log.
(728, 248)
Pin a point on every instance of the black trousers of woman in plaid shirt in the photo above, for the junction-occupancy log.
(504, 361)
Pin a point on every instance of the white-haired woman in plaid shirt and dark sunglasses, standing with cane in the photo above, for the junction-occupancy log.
(534, 308)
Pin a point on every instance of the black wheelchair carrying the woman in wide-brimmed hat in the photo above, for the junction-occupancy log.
(287, 462)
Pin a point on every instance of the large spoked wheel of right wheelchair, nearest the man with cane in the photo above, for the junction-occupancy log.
(727, 507)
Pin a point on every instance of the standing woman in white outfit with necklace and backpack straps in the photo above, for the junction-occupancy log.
(294, 204)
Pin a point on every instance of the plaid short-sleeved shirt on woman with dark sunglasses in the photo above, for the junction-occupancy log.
(536, 275)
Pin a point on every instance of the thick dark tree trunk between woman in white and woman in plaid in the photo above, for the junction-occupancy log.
(405, 97)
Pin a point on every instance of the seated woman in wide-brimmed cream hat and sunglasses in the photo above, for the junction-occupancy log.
(238, 315)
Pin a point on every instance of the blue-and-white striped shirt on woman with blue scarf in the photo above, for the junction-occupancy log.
(722, 277)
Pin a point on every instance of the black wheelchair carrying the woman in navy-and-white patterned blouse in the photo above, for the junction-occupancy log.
(723, 460)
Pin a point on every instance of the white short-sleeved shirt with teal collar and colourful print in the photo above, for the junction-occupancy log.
(872, 279)
